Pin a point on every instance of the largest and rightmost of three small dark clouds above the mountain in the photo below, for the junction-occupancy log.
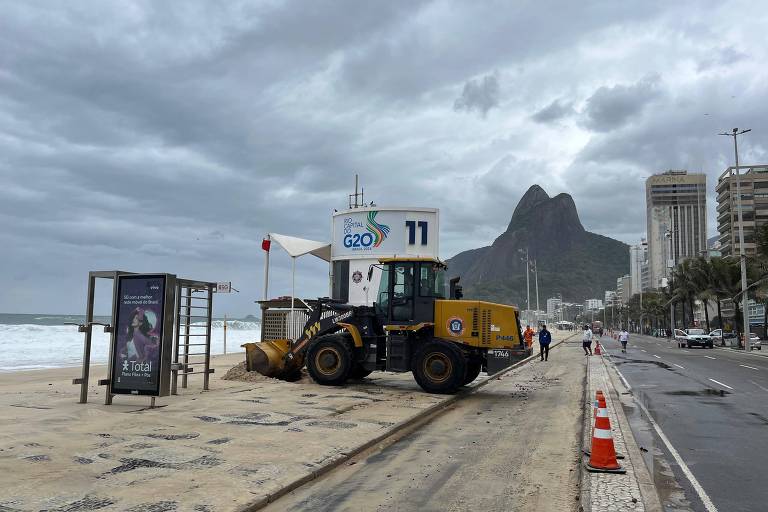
(613, 107)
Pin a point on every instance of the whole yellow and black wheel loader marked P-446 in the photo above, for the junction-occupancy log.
(412, 327)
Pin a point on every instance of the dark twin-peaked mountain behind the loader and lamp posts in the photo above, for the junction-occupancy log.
(571, 261)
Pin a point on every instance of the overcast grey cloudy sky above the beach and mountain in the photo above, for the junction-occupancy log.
(171, 136)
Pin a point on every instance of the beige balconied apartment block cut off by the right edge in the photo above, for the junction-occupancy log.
(754, 204)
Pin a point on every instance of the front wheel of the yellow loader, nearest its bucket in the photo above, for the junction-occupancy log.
(329, 360)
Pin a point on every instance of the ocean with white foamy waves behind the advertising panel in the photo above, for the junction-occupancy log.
(33, 342)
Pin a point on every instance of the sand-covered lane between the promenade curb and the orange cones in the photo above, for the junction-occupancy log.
(514, 445)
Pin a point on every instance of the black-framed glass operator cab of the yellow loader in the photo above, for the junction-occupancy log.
(408, 289)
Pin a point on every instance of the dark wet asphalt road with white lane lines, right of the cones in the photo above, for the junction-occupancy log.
(712, 404)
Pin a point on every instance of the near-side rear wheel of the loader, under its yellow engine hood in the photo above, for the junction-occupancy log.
(439, 367)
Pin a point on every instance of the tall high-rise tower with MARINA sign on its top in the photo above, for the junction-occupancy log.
(676, 208)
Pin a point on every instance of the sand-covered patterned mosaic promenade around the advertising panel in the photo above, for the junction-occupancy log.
(215, 450)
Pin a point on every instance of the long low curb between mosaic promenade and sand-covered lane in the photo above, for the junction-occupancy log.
(421, 417)
